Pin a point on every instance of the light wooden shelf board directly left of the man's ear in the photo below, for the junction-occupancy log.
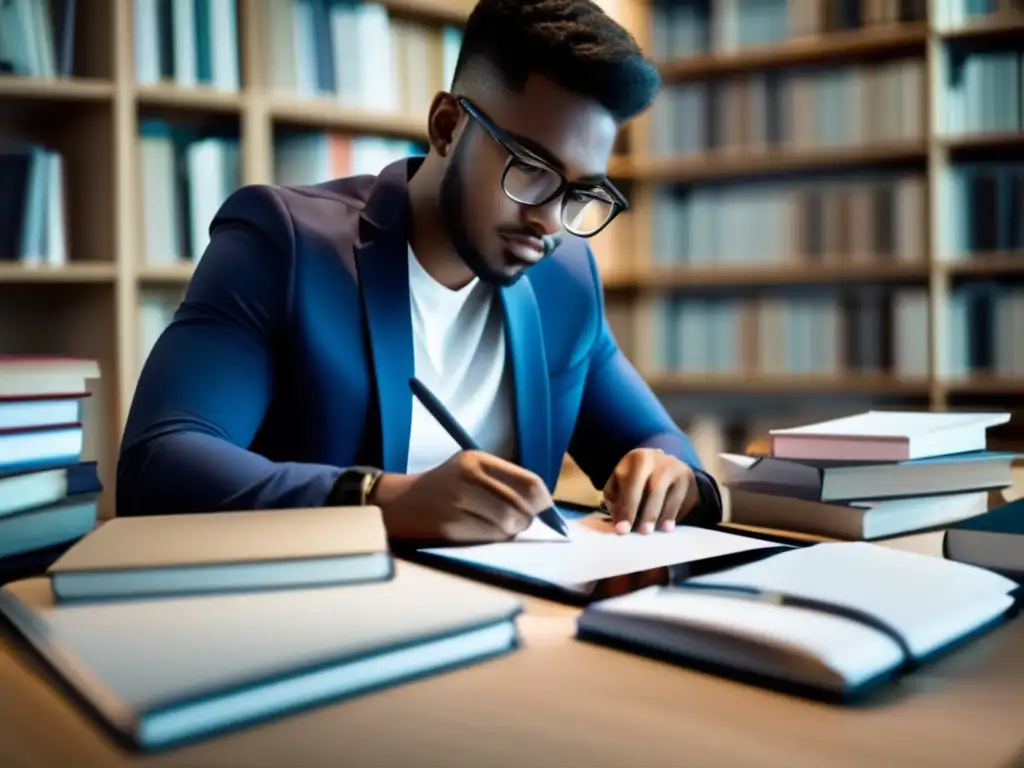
(328, 115)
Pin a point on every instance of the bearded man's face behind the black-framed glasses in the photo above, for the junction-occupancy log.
(498, 237)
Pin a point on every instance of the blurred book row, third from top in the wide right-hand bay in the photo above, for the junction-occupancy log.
(877, 219)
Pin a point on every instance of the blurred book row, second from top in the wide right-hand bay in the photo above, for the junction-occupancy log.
(797, 109)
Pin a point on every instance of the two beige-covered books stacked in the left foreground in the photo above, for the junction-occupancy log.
(178, 628)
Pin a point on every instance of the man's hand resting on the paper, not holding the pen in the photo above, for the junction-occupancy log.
(651, 490)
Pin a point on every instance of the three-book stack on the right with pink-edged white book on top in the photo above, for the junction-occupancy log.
(872, 476)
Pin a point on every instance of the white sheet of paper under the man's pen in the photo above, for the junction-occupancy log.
(596, 551)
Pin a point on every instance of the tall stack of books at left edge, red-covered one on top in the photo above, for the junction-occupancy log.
(49, 495)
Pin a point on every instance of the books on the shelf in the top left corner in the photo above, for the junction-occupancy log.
(37, 38)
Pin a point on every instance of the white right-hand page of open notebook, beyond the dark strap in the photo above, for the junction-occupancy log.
(929, 601)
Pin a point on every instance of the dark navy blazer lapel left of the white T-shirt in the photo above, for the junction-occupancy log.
(381, 259)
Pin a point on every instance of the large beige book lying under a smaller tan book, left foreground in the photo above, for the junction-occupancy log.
(164, 672)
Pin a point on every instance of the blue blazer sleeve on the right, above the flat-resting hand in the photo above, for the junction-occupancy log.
(619, 412)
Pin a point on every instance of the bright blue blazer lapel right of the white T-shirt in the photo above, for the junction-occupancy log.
(526, 354)
